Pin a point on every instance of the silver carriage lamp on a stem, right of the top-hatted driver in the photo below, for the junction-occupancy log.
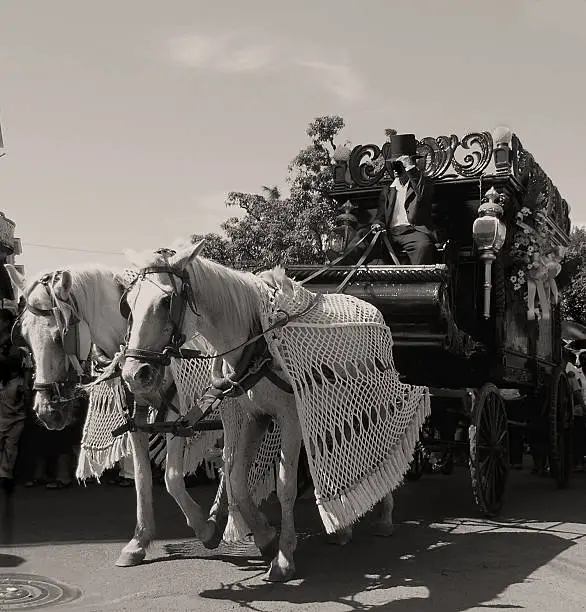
(489, 233)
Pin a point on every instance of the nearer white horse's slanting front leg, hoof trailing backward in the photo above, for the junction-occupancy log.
(237, 466)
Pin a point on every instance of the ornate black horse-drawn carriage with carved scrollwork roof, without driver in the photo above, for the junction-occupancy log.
(485, 317)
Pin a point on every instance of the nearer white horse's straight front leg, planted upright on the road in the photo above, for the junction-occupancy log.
(283, 564)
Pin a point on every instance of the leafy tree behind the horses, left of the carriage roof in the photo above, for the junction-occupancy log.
(282, 230)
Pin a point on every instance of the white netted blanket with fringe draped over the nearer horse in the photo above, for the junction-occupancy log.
(360, 424)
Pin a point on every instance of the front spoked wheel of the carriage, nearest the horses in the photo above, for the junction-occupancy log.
(489, 450)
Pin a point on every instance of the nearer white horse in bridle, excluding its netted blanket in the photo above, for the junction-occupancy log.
(222, 305)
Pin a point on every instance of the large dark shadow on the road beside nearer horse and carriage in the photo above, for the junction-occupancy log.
(420, 569)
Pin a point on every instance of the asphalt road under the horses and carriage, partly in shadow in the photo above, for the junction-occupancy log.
(442, 557)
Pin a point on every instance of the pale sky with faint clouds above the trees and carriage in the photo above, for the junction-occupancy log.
(126, 122)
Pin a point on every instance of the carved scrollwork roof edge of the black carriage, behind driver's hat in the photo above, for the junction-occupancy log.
(478, 159)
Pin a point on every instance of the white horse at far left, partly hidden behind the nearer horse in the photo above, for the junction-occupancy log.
(93, 295)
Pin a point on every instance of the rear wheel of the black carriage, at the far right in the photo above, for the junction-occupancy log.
(561, 411)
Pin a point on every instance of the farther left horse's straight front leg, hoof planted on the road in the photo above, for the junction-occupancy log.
(135, 551)
